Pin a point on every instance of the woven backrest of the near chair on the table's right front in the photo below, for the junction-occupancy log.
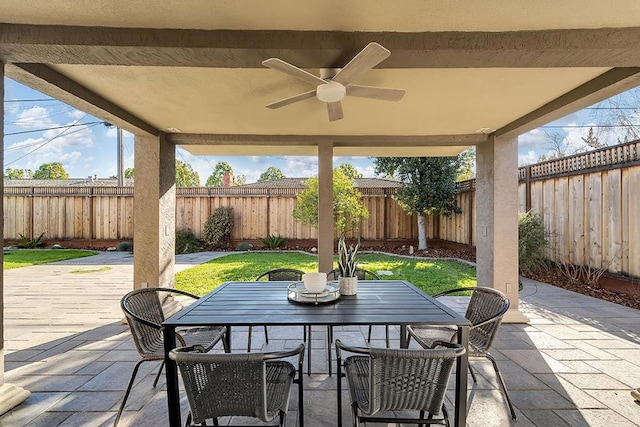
(401, 379)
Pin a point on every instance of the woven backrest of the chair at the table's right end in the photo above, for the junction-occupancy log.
(485, 311)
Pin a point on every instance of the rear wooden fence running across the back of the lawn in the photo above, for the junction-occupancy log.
(106, 213)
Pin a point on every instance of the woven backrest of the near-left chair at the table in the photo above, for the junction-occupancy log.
(230, 384)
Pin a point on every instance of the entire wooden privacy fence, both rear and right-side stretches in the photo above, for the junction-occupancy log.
(590, 204)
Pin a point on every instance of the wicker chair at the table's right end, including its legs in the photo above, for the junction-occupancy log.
(485, 312)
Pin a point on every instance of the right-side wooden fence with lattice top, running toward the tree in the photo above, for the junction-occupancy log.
(590, 204)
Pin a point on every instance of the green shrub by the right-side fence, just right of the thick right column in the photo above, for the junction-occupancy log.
(533, 242)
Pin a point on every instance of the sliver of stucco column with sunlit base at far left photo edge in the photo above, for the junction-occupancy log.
(10, 395)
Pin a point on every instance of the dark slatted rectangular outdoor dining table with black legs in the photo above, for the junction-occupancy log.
(378, 302)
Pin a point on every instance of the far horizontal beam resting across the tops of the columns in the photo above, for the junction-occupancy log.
(337, 140)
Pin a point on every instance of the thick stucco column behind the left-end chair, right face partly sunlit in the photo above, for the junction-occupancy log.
(154, 218)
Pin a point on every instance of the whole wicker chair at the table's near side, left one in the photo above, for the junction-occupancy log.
(242, 384)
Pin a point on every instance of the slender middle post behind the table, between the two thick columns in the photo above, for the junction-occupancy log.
(325, 207)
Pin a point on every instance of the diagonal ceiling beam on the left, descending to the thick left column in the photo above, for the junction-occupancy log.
(48, 81)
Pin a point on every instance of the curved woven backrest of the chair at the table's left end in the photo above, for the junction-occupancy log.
(145, 311)
